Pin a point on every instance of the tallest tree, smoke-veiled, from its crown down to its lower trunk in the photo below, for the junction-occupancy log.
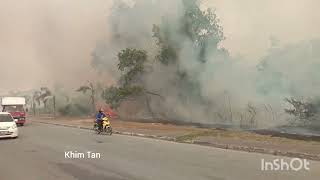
(202, 29)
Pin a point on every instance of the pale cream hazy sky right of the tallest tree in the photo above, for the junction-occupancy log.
(248, 24)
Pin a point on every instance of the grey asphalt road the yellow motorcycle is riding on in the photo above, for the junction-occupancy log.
(39, 154)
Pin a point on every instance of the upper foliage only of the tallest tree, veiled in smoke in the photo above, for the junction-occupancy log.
(201, 27)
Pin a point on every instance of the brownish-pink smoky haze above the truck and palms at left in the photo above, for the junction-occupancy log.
(47, 42)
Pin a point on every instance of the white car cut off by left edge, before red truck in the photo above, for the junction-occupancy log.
(8, 127)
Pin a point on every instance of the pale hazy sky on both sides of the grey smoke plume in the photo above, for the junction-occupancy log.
(42, 41)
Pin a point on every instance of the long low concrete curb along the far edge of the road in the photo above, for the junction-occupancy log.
(216, 145)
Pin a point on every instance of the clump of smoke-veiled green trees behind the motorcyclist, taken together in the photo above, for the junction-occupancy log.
(199, 27)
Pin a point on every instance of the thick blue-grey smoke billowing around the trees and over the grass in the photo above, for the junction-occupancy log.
(231, 88)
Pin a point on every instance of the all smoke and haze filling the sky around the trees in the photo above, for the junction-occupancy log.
(58, 42)
